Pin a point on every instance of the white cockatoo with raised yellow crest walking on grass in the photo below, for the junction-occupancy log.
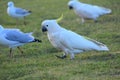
(68, 41)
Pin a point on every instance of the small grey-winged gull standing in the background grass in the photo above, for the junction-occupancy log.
(16, 12)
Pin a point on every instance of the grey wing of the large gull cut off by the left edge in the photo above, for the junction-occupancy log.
(16, 35)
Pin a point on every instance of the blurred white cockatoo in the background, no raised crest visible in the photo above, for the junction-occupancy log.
(87, 11)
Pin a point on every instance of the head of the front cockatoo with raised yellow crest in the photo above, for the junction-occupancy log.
(51, 25)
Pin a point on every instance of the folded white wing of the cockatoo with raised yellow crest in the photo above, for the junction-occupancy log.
(72, 40)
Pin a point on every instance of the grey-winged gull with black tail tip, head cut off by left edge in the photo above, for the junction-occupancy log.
(13, 38)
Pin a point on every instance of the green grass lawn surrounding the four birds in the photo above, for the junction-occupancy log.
(39, 61)
